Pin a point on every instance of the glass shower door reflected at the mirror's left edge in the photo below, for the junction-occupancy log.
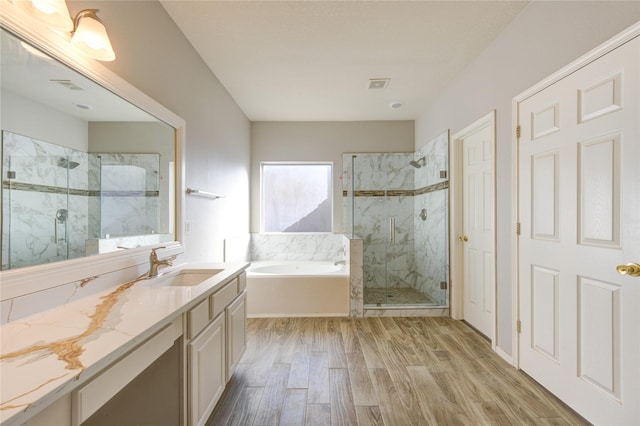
(35, 226)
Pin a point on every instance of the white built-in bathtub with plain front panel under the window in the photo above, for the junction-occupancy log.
(297, 289)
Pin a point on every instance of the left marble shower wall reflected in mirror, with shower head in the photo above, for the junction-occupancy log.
(41, 188)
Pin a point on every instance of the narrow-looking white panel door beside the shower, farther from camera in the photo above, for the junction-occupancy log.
(478, 228)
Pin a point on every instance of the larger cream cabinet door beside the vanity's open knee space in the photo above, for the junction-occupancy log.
(206, 371)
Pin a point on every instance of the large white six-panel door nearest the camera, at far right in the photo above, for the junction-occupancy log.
(579, 209)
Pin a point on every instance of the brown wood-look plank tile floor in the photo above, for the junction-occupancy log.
(379, 371)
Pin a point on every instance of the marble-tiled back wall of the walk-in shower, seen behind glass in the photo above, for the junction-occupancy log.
(382, 215)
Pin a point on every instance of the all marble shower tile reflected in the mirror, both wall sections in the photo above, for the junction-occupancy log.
(49, 179)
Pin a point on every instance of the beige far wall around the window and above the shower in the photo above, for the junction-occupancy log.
(322, 141)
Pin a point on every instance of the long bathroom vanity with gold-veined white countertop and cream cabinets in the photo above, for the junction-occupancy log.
(85, 362)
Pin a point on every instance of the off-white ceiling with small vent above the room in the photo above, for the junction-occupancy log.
(312, 60)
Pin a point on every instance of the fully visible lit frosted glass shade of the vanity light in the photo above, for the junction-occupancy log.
(90, 36)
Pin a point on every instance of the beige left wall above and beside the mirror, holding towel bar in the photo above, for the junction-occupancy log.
(153, 55)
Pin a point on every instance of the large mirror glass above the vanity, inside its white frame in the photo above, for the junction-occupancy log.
(83, 171)
